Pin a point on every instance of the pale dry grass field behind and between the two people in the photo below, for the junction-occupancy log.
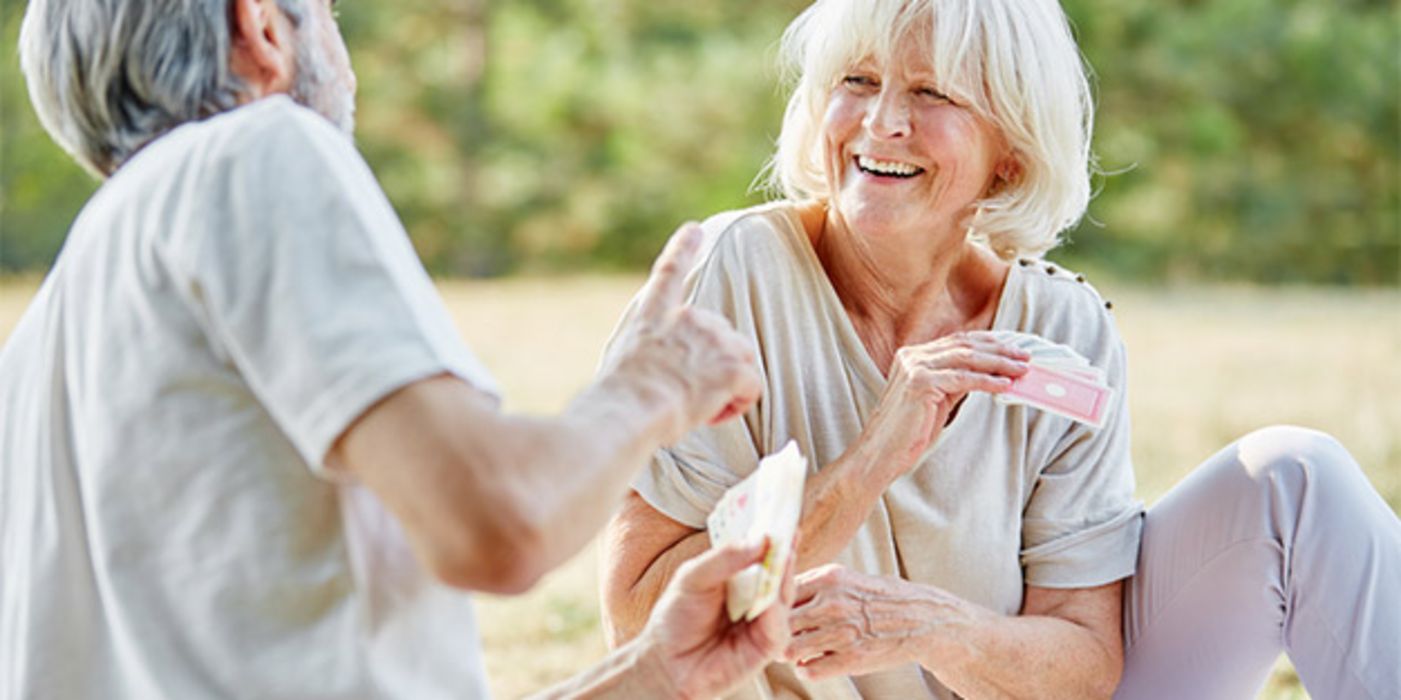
(1207, 366)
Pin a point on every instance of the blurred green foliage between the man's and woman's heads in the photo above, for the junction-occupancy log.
(588, 135)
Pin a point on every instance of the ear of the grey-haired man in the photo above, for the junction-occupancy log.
(263, 52)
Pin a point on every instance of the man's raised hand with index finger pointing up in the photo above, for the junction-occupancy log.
(694, 356)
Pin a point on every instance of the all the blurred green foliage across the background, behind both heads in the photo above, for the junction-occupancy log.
(1252, 139)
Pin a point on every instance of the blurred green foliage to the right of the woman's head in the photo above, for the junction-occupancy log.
(1260, 139)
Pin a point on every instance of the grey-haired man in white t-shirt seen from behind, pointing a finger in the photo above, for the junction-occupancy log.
(243, 446)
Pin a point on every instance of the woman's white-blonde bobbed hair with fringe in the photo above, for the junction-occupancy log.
(1015, 62)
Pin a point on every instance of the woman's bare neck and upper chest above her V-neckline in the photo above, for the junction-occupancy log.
(907, 289)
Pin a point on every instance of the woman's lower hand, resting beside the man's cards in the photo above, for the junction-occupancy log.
(847, 622)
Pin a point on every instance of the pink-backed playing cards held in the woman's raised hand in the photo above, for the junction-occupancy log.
(1061, 381)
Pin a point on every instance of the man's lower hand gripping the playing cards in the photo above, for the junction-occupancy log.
(703, 653)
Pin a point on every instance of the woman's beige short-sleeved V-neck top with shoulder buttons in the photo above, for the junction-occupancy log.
(1008, 496)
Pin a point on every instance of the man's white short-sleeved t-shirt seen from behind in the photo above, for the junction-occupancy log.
(225, 307)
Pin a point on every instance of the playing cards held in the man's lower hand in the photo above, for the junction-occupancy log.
(767, 503)
